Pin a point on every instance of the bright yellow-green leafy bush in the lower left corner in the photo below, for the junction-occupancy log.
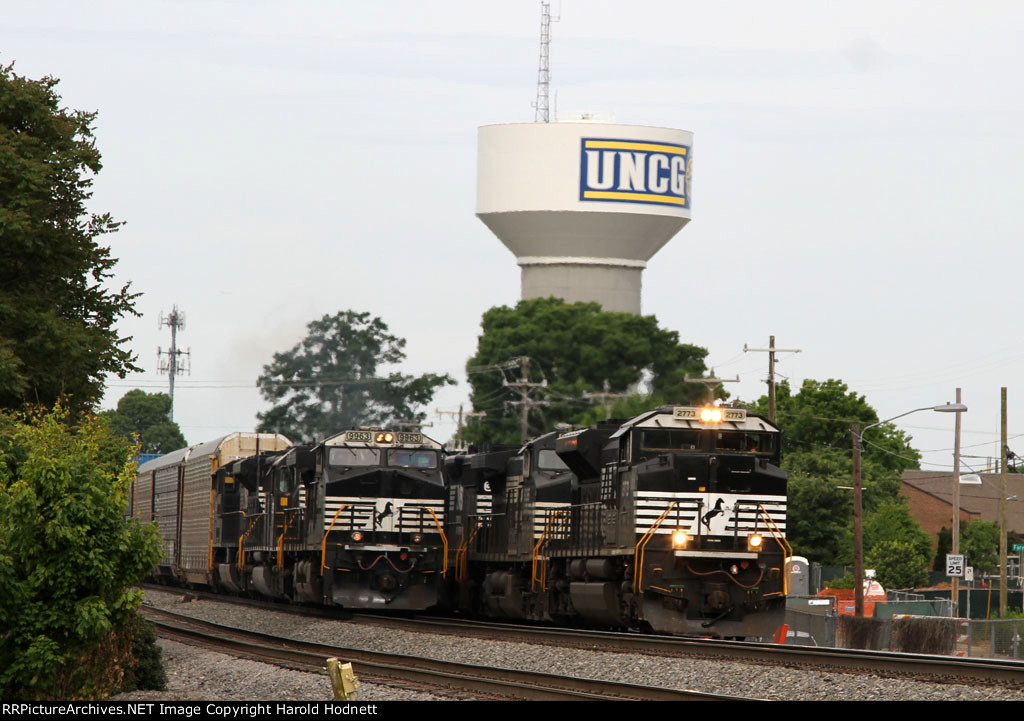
(68, 558)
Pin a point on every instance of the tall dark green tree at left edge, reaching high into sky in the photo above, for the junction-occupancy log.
(58, 335)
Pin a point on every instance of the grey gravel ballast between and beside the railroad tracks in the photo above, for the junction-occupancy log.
(198, 674)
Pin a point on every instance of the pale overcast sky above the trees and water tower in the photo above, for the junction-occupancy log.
(857, 172)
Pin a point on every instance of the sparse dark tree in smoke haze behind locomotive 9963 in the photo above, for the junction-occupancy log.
(330, 381)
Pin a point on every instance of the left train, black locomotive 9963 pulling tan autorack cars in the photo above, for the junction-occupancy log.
(357, 521)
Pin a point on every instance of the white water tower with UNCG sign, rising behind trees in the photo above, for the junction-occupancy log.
(584, 206)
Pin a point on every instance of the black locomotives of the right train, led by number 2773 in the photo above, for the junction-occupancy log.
(673, 522)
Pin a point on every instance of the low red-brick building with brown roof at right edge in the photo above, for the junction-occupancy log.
(929, 496)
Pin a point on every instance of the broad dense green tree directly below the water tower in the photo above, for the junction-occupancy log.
(575, 349)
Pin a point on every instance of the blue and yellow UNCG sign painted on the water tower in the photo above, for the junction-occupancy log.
(635, 172)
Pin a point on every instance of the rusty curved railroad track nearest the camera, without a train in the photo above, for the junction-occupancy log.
(503, 684)
